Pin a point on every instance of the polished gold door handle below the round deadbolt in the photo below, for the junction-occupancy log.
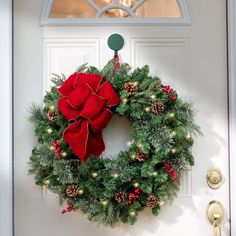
(215, 215)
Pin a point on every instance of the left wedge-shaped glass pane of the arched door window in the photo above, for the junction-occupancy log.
(72, 9)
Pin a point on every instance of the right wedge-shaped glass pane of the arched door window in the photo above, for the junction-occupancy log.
(159, 9)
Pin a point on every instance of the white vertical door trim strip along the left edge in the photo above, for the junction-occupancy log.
(6, 125)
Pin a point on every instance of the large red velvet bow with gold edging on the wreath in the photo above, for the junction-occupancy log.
(86, 101)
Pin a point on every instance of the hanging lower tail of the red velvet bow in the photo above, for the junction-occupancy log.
(85, 136)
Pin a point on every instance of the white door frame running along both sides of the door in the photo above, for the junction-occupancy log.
(6, 118)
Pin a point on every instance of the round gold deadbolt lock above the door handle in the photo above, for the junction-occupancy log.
(214, 178)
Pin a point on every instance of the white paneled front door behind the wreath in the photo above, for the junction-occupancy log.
(192, 58)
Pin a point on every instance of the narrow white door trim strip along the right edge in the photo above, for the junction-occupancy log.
(231, 14)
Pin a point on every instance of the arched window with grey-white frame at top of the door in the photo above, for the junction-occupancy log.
(119, 11)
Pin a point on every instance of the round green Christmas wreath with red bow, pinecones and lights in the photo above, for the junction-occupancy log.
(69, 131)
